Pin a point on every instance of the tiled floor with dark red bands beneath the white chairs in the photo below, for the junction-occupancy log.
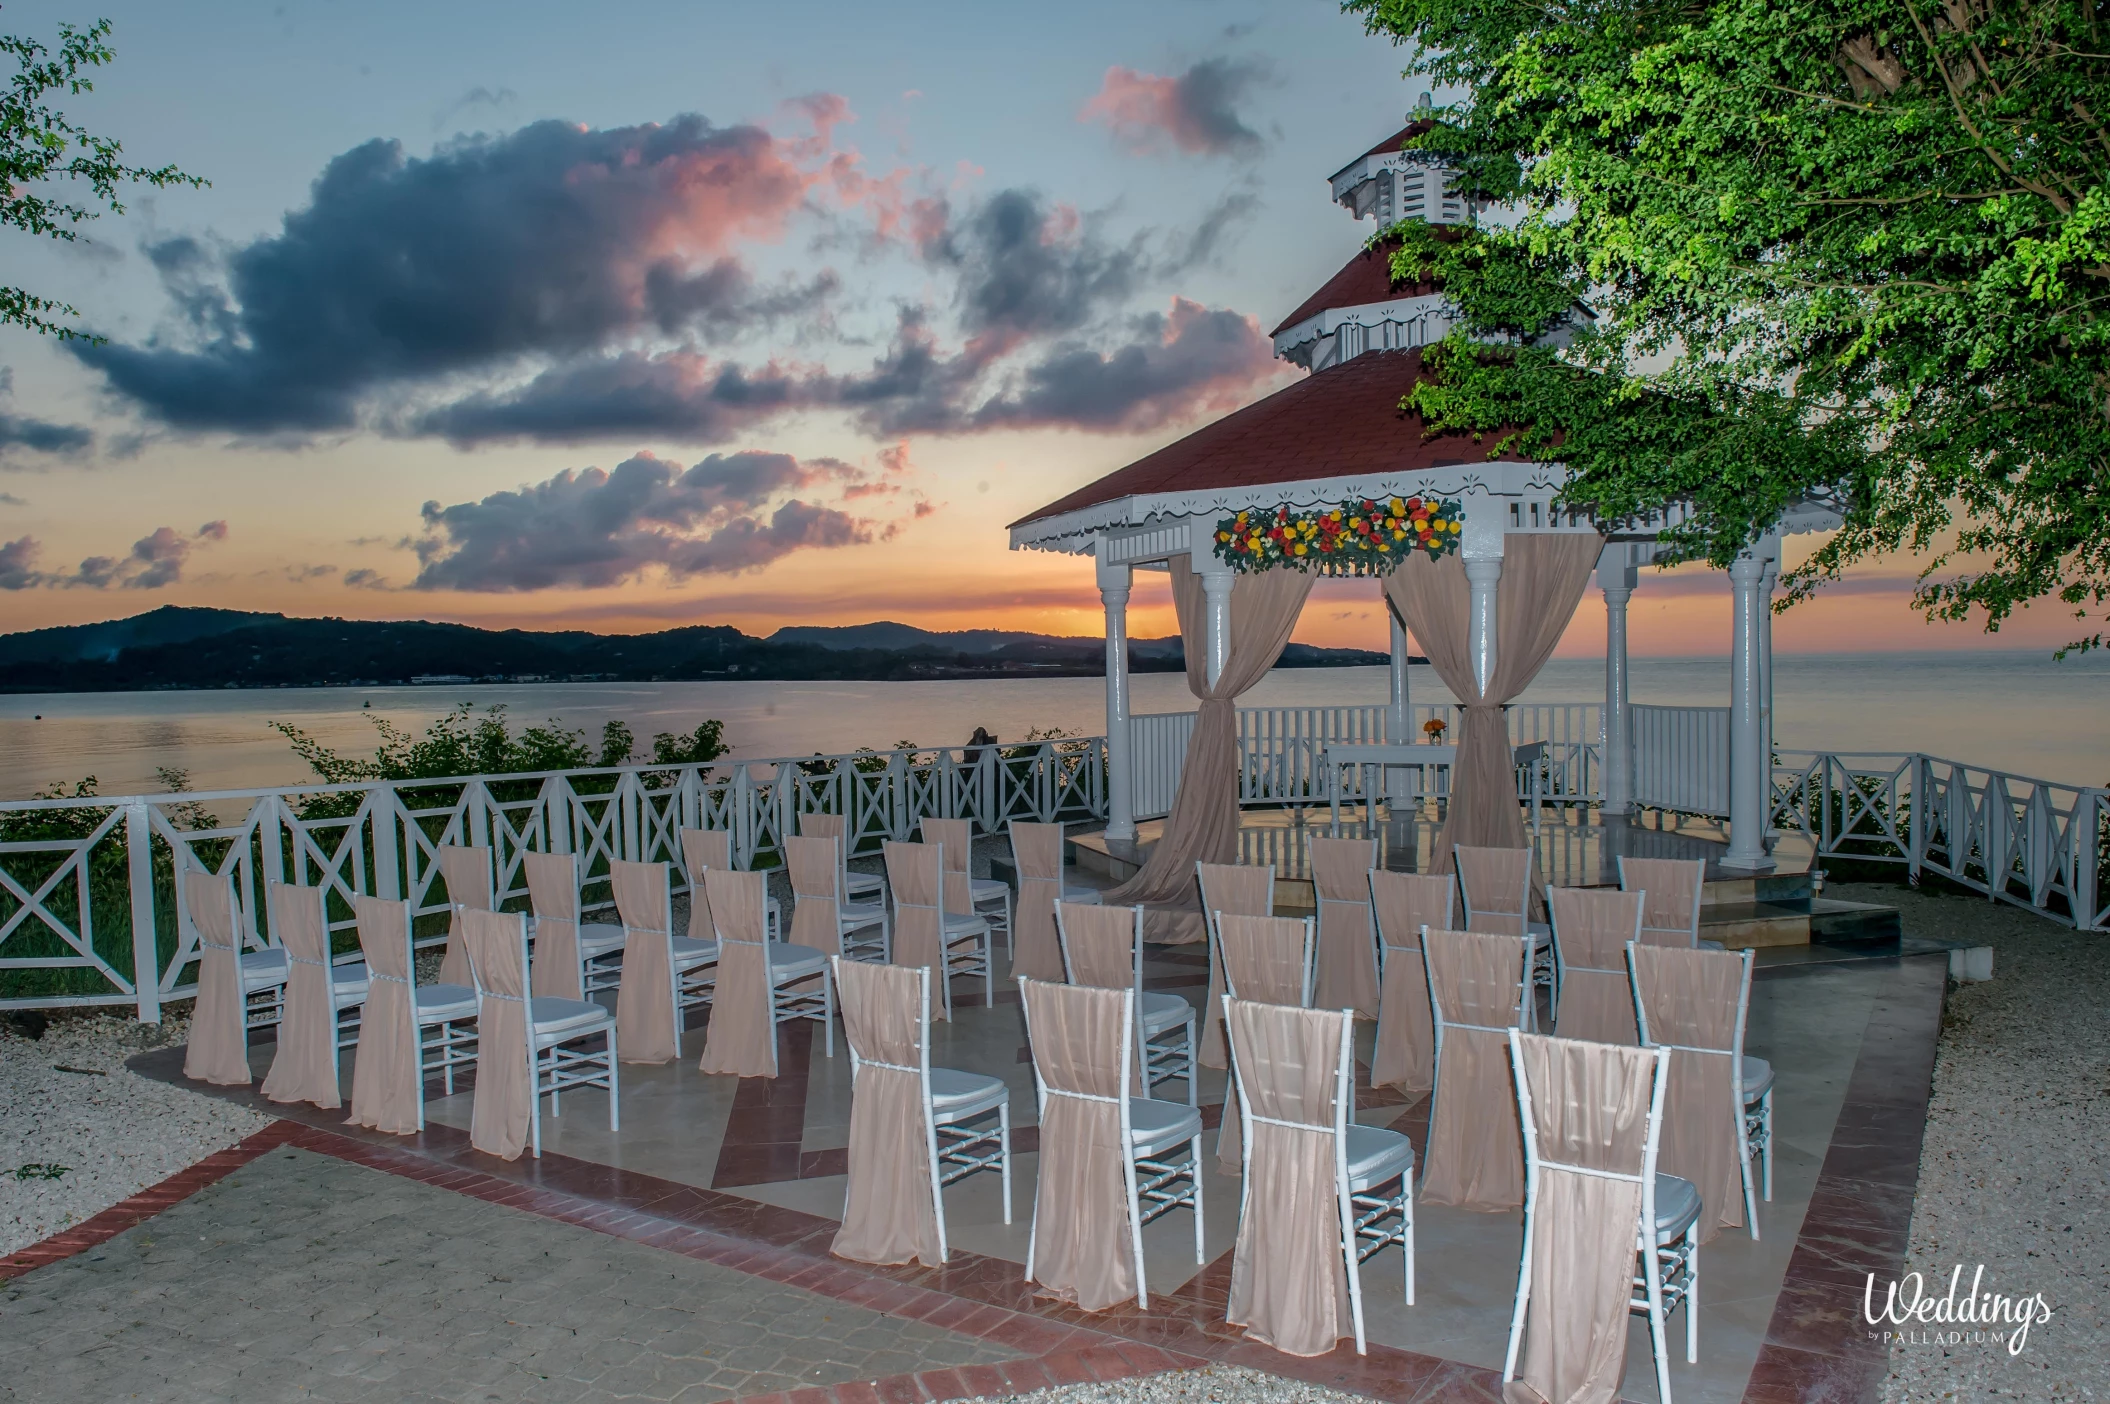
(761, 1164)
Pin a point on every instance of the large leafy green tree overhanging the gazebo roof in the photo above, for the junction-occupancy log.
(1854, 246)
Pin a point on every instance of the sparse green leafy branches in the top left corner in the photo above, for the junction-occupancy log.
(41, 147)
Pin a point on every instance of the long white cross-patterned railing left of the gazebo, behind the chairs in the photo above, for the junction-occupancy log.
(92, 892)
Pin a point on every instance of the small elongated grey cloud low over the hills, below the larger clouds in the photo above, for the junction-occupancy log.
(598, 529)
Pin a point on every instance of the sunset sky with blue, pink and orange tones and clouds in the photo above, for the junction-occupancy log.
(651, 316)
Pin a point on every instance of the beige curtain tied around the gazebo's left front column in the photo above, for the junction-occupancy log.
(1204, 822)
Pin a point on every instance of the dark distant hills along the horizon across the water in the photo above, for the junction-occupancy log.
(233, 649)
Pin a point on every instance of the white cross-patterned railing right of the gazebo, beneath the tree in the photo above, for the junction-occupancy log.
(2016, 839)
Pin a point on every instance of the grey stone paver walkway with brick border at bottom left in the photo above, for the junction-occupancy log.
(311, 1278)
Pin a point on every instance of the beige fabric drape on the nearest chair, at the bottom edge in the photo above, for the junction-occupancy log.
(1590, 1109)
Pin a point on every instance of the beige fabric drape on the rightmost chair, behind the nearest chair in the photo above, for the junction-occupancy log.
(1691, 1000)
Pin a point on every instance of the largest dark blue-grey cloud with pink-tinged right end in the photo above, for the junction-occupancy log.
(548, 242)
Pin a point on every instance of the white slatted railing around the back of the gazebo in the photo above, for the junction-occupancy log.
(1282, 751)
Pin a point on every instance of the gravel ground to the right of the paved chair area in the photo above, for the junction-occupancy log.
(2016, 1169)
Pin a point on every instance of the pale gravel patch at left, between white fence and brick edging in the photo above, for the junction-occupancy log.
(111, 1131)
